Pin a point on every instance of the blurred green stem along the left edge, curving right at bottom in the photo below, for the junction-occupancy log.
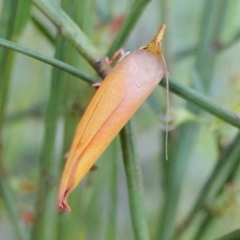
(7, 25)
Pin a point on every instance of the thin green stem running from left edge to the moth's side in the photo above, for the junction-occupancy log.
(49, 60)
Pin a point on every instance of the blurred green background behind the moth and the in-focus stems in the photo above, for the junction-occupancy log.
(41, 105)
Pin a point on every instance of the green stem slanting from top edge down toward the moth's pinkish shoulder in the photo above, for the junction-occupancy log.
(136, 11)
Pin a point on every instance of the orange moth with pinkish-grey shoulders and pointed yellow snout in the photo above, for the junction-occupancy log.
(119, 96)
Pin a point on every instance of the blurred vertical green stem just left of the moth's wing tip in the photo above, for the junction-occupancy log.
(45, 225)
